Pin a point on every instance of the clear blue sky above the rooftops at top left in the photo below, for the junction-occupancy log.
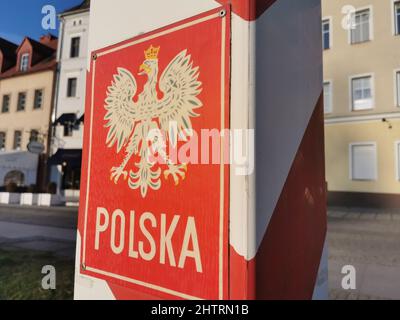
(19, 18)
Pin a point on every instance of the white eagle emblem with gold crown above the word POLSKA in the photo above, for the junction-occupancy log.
(129, 123)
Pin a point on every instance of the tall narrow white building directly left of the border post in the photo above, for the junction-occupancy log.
(70, 98)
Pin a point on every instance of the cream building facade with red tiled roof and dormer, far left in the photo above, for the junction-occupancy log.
(27, 77)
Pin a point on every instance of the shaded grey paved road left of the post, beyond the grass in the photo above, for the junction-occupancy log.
(42, 229)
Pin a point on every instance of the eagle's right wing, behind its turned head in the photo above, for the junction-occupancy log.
(180, 85)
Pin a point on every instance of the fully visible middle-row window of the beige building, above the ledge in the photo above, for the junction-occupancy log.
(362, 93)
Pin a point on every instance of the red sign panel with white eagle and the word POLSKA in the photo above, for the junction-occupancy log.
(153, 219)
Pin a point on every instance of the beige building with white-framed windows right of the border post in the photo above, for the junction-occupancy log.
(361, 40)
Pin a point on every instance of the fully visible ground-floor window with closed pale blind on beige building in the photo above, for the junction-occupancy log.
(363, 162)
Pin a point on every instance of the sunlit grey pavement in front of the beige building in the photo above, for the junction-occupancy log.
(370, 241)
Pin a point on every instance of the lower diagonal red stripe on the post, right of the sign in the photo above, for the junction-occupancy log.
(287, 262)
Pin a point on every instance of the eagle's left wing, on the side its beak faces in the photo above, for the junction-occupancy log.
(121, 111)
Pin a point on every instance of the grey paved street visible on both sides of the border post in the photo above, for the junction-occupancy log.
(364, 238)
